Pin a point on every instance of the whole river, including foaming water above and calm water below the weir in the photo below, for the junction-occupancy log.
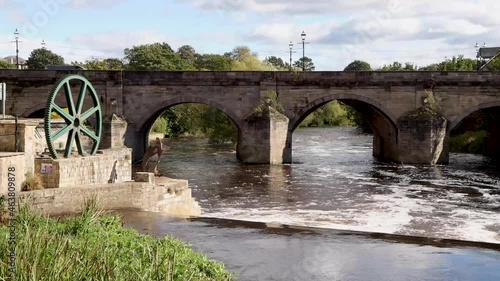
(336, 213)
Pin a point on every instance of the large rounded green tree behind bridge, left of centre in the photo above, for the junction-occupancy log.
(157, 56)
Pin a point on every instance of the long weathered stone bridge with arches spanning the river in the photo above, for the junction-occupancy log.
(394, 103)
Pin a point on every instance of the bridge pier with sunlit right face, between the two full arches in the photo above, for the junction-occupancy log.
(263, 138)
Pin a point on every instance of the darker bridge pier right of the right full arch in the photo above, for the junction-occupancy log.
(422, 138)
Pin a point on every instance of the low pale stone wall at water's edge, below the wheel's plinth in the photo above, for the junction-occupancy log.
(155, 195)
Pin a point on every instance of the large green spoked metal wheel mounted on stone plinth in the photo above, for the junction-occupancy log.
(77, 117)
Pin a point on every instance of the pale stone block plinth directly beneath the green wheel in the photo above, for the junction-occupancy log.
(107, 166)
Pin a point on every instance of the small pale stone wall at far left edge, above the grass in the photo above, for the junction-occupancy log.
(11, 159)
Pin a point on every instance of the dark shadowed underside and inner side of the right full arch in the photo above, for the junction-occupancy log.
(382, 121)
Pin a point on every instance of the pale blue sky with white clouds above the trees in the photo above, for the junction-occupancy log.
(337, 32)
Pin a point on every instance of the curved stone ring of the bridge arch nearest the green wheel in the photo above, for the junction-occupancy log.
(162, 106)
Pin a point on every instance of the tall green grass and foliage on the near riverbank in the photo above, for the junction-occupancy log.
(95, 247)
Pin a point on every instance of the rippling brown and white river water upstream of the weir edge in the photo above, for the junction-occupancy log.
(335, 182)
